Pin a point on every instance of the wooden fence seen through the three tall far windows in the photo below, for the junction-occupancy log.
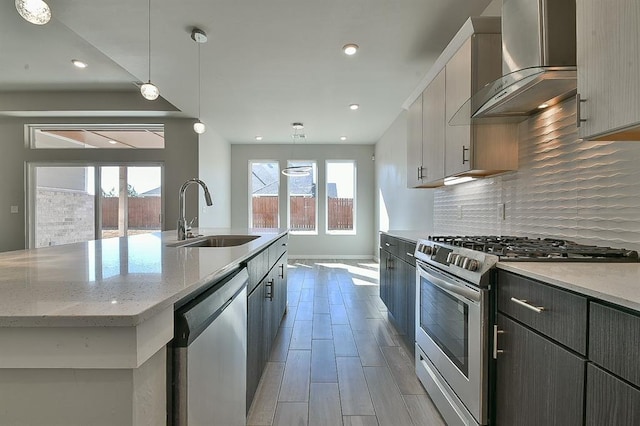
(303, 213)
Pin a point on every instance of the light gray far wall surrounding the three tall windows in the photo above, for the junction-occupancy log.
(311, 246)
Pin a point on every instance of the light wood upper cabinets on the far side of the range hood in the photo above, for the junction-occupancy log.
(436, 149)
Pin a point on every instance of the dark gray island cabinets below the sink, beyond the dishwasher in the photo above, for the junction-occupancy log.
(266, 305)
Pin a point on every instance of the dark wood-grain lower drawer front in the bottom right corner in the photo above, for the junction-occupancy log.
(610, 401)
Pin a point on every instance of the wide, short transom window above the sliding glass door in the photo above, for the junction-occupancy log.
(52, 136)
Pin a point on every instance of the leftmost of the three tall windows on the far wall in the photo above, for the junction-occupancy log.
(264, 186)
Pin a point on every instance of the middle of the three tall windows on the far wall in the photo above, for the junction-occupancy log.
(303, 200)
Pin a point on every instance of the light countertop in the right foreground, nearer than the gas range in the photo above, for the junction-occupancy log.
(617, 283)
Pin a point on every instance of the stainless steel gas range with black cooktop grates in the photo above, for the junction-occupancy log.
(455, 278)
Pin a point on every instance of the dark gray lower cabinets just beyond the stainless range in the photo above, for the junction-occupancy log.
(398, 283)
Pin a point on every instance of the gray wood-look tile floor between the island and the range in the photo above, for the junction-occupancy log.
(337, 360)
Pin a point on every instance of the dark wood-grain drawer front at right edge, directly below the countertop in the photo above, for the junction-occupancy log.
(613, 341)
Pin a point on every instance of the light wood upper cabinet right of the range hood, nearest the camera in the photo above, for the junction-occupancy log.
(608, 54)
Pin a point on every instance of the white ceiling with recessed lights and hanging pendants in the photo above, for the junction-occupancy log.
(267, 63)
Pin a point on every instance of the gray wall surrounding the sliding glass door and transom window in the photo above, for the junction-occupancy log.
(180, 159)
